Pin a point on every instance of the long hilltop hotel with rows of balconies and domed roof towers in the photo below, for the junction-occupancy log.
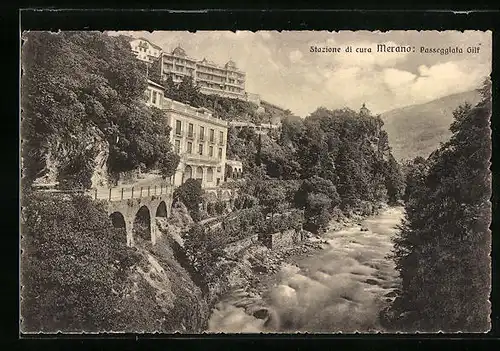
(227, 80)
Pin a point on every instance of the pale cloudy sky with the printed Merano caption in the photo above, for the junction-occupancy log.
(280, 67)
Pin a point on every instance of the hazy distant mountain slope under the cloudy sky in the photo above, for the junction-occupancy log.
(417, 130)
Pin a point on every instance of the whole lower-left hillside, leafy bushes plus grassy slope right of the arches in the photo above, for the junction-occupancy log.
(78, 274)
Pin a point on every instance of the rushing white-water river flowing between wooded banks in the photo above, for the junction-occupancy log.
(341, 288)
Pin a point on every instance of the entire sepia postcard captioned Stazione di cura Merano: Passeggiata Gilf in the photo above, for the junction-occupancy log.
(255, 182)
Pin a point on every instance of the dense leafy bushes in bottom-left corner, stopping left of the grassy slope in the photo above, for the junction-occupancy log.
(72, 261)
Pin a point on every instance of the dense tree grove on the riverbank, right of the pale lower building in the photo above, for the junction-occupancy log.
(342, 158)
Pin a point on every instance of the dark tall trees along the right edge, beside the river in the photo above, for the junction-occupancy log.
(442, 251)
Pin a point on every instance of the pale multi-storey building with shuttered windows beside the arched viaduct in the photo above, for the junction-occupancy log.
(198, 138)
